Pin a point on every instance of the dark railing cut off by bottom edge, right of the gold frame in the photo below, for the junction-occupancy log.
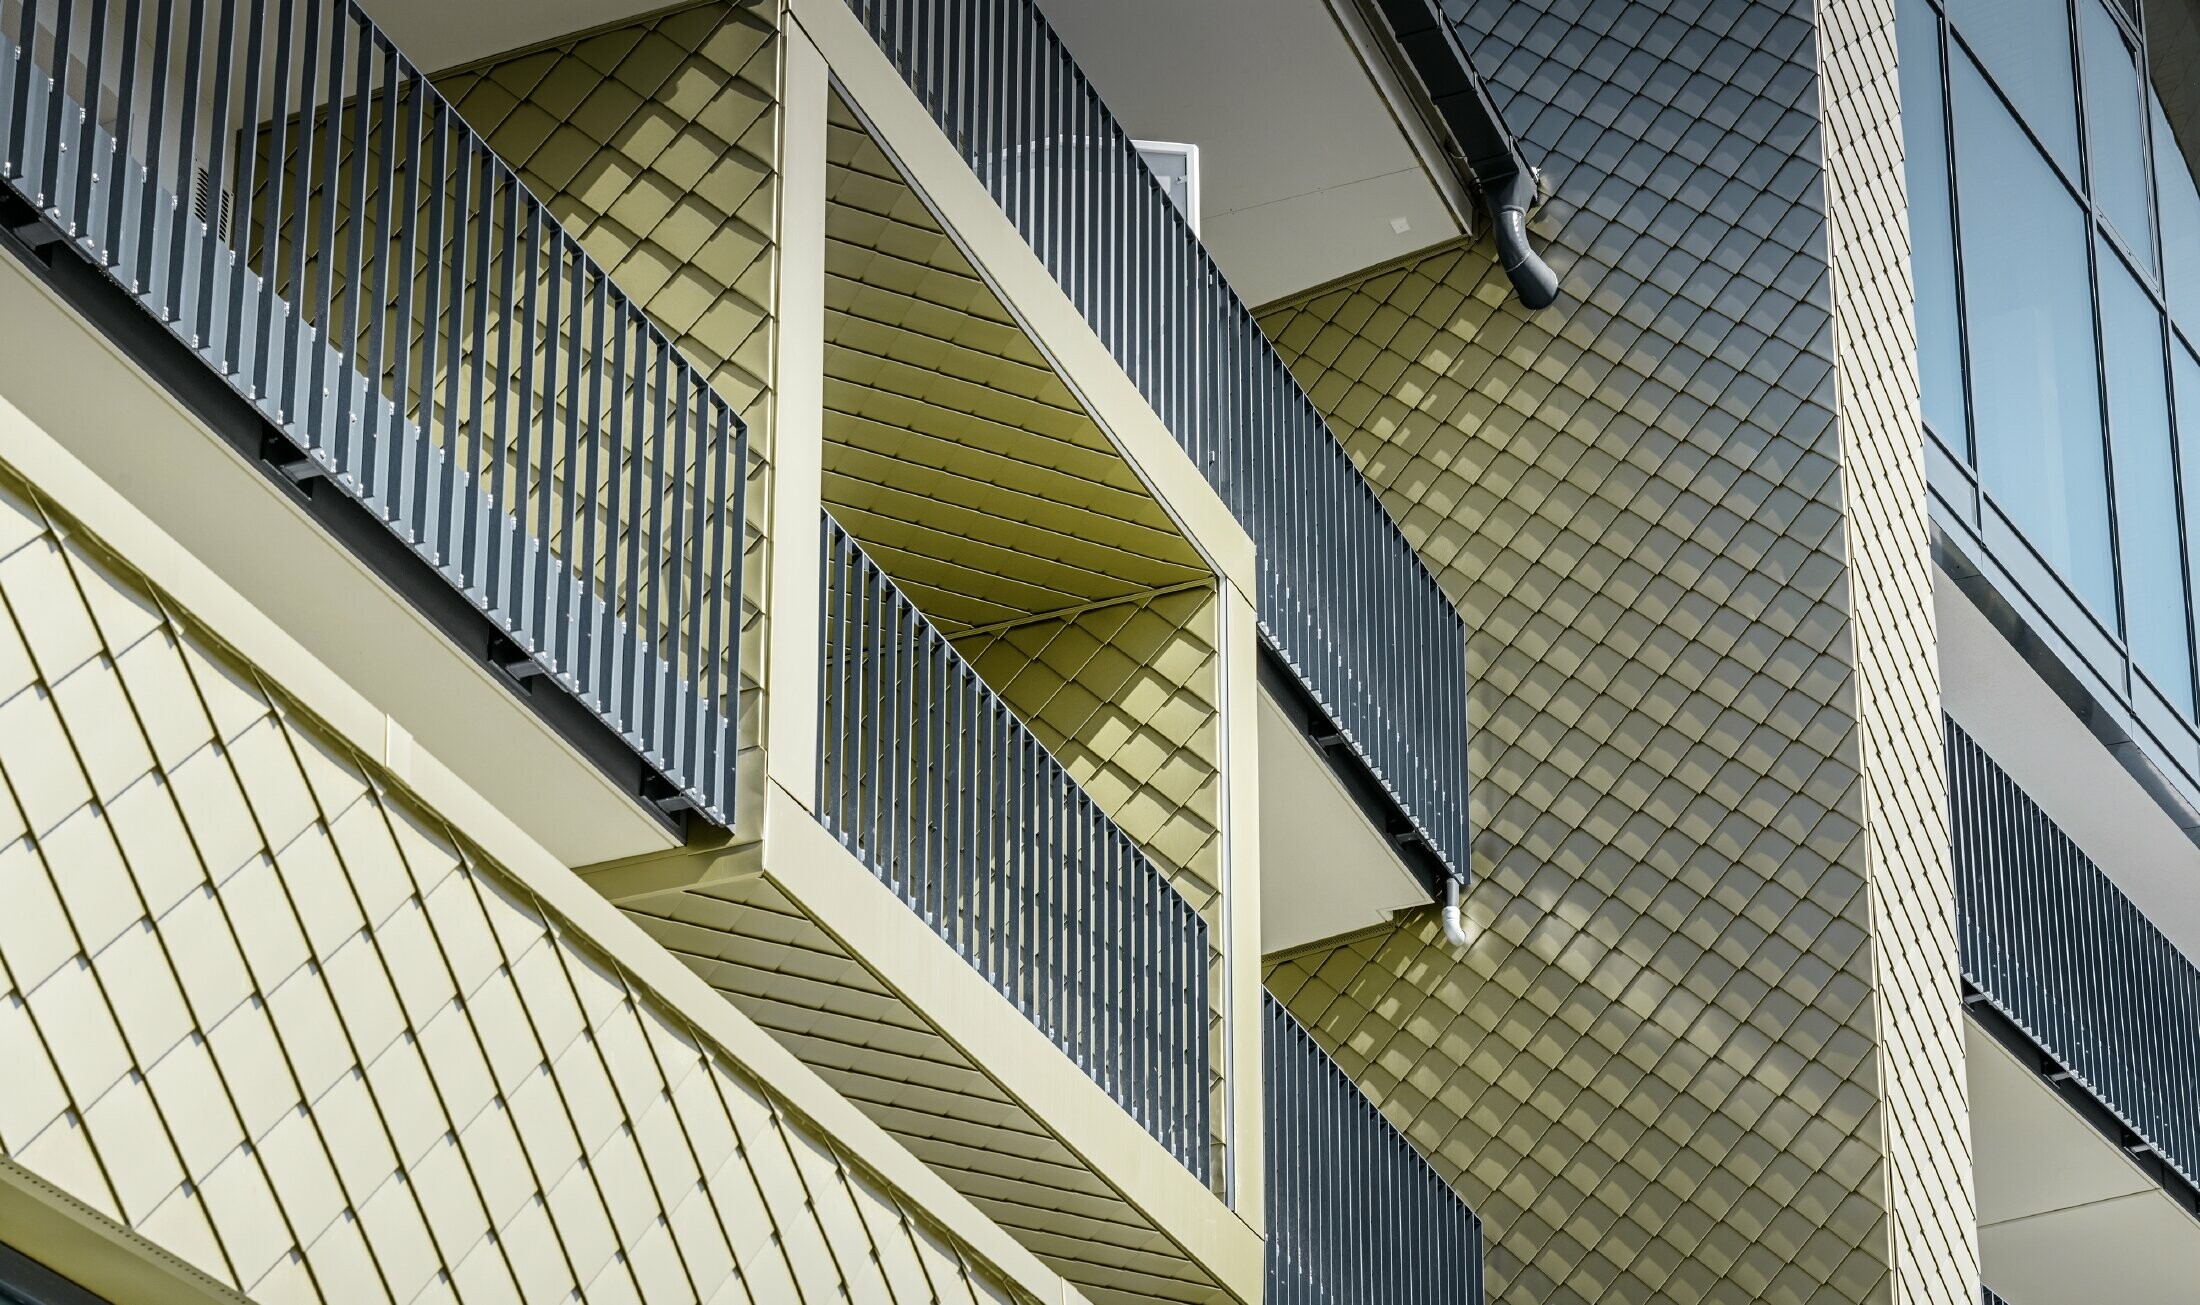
(1354, 1214)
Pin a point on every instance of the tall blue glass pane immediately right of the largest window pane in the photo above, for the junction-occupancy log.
(2150, 549)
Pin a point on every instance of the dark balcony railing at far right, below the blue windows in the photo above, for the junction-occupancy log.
(2069, 961)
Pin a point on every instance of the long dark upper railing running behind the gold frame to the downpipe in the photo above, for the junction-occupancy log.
(1345, 600)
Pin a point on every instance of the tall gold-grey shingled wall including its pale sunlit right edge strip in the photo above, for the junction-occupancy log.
(1658, 1068)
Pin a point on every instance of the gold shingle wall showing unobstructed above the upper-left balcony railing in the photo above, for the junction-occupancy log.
(657, 146)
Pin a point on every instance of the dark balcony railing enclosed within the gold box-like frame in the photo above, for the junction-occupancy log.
(932, 780)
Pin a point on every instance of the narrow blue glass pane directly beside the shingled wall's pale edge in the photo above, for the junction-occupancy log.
(1933, 245)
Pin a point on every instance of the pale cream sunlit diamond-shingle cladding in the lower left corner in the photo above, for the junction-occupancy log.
(298, 1033)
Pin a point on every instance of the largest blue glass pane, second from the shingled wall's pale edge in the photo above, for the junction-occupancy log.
(2029, 314)
